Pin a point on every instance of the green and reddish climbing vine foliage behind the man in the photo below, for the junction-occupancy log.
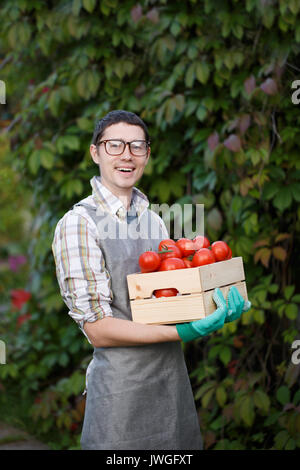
(213, 82)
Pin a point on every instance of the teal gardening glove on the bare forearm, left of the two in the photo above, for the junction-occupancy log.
(205, 326)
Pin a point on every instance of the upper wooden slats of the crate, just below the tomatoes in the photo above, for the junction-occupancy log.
(186, 281)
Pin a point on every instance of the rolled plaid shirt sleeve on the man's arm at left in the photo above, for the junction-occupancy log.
(80, 270)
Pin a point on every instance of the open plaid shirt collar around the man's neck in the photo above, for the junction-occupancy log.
(111, 203)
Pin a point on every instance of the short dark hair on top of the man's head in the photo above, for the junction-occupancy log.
(114, 117)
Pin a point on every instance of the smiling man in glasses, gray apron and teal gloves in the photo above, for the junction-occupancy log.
(138, 390)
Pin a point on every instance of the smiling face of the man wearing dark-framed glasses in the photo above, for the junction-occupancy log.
(111, 175)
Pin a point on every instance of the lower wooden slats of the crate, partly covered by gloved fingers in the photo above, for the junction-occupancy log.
(179, 309)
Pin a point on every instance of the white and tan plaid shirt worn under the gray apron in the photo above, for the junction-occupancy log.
(83, 280)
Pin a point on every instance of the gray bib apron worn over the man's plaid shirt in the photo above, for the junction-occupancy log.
(138, 397)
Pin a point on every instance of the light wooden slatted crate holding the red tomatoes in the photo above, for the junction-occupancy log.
(195, 286)
